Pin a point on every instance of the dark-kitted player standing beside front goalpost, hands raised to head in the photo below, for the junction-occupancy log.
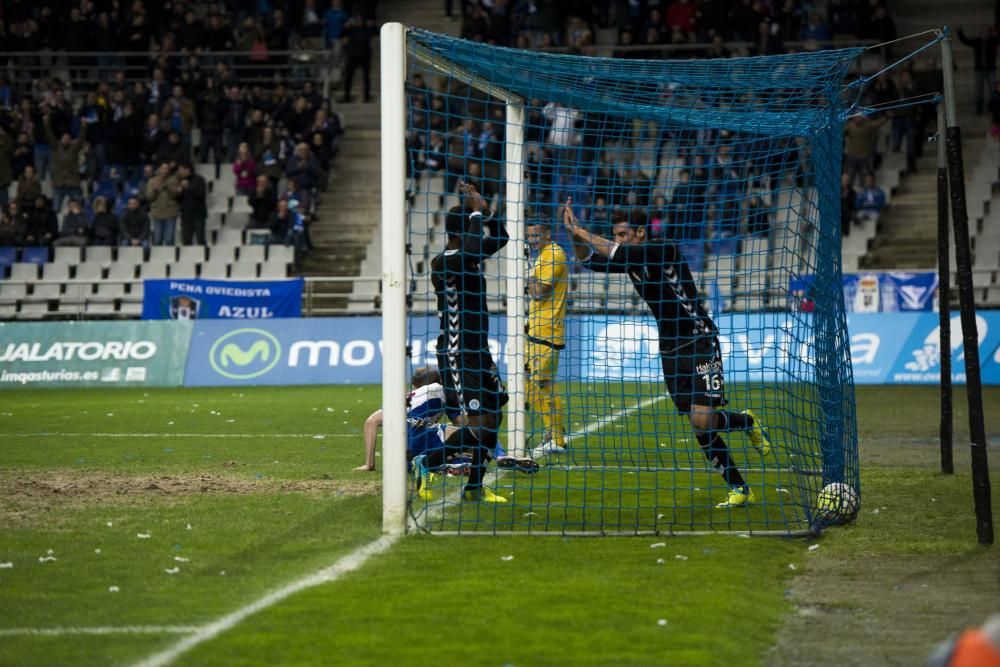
(468, 371)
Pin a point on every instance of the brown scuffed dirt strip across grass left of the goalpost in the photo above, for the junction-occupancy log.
(24, 494)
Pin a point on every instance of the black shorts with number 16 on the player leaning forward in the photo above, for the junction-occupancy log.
(693, 373)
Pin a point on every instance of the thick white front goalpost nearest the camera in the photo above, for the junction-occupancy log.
(394, 325)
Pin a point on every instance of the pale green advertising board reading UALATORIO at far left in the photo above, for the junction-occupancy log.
(93, 354)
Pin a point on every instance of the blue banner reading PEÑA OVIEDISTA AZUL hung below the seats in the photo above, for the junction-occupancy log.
(221, 299)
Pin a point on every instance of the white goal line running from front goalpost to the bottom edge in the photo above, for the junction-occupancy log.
(348, 563)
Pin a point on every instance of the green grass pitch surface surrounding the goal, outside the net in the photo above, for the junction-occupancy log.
(143, 527)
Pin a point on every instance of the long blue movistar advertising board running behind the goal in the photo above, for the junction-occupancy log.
(886, 348)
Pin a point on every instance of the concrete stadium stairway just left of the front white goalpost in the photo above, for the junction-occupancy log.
(345, 235)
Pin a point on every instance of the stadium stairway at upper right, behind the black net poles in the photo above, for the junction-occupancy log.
(907, 237)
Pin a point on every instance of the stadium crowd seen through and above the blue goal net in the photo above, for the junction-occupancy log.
(718, 185)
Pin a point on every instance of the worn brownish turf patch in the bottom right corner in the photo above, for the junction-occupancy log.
(885, 611)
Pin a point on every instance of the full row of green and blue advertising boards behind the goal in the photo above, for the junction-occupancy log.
(886, 348)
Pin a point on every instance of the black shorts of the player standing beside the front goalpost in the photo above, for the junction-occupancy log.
(472, 383)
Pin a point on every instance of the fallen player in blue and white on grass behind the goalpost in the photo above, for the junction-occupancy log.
(425, 406)
